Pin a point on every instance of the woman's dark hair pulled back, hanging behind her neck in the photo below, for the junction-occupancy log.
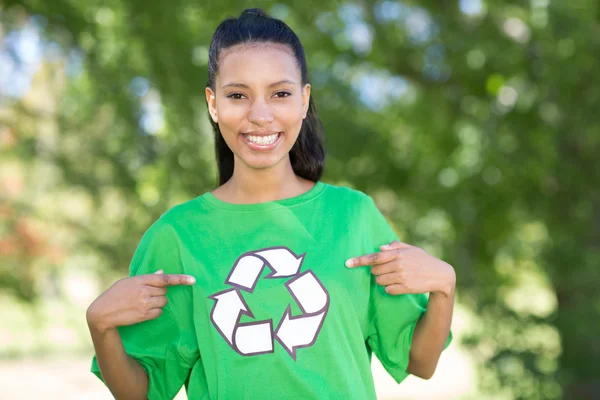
(255, 26)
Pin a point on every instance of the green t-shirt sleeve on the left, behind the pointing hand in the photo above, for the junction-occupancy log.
(165, 347)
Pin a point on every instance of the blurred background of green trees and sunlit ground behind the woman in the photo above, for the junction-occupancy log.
(474, 125)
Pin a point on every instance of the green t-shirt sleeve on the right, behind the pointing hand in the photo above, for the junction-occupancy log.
(392, 317)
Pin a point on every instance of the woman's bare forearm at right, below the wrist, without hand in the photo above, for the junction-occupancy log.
(431, 333)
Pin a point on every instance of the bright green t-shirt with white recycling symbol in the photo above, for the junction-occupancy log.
(274, 312)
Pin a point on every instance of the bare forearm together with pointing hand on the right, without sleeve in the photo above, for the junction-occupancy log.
(405, 269)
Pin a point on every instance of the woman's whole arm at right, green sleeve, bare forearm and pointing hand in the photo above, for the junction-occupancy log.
(410, 342)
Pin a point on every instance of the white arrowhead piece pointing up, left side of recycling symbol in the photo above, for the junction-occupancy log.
(226, 312)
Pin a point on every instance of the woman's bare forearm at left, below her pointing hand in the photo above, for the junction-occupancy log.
(124, 377)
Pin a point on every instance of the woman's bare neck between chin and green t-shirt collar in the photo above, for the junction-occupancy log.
(248, 185)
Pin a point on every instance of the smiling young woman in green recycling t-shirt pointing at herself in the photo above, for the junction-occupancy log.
(275, 284)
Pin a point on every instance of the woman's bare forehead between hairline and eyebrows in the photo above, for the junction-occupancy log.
(257, 62)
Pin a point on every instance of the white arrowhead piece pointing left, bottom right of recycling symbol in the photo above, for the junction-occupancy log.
(294, 332)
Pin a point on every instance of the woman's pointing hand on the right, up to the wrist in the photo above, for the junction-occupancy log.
(402, 269)
